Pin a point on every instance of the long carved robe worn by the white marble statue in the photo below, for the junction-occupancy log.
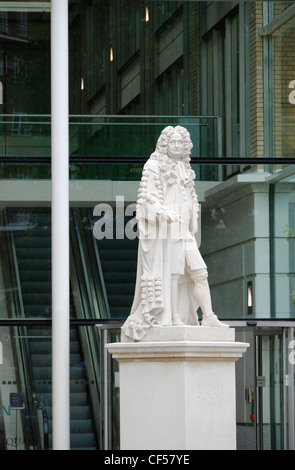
(166, 248)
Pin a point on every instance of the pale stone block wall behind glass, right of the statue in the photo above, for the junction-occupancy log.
(235, 246)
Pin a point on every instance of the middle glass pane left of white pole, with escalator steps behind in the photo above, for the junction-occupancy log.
(25, 263)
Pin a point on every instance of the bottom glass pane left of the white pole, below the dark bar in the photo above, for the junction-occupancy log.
(25, 386)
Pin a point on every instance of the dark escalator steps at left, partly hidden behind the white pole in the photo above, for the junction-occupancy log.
(32, 242)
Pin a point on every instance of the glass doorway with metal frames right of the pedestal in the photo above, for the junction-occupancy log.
(266, 375)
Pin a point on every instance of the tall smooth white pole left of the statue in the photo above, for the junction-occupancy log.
(60, 225)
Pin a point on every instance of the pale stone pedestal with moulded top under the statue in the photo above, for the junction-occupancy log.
(177, 388)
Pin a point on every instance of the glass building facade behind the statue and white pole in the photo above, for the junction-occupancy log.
(224, 70)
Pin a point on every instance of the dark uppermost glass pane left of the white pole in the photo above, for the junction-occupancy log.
(24, 62)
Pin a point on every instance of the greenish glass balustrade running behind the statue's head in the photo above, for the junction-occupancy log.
(105, 137)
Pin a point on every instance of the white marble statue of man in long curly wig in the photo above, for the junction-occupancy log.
(171, 281)
